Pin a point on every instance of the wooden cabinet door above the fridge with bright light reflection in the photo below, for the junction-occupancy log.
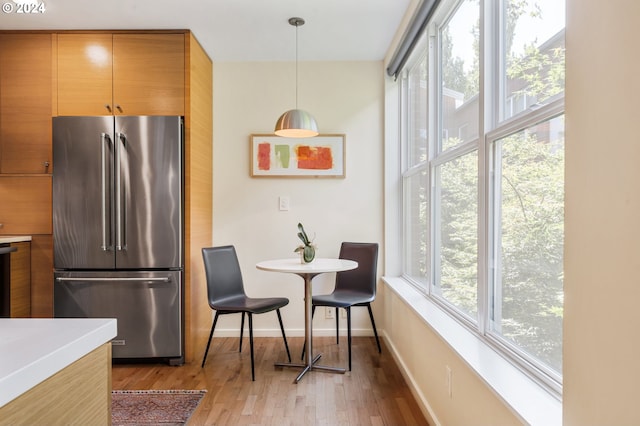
(85, 65)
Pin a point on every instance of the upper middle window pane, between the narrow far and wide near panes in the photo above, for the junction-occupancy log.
(459, 47)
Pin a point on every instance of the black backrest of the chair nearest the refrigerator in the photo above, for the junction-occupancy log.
(224, 278)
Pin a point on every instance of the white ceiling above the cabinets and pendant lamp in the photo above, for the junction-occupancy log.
(237, 30)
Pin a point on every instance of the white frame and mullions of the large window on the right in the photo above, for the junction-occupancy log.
(490, 129)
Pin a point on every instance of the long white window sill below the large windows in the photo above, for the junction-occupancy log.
(533, 404)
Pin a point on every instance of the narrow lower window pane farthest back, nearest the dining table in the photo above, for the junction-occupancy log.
(416, 235)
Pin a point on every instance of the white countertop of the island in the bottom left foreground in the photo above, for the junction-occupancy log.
(34, 349)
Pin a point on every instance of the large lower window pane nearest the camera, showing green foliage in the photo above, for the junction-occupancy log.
(528, 198)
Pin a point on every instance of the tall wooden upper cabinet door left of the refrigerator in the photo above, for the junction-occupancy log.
(25, 103)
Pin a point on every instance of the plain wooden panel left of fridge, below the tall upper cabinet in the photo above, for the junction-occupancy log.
(26, 205)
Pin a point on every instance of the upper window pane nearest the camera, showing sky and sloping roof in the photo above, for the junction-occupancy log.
(532, 53)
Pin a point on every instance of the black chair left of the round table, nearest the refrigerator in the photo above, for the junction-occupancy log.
(226, 295)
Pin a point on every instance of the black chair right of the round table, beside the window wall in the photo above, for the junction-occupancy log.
(356, 287)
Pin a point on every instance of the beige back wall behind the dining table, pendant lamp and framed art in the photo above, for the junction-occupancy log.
(344, 97)
